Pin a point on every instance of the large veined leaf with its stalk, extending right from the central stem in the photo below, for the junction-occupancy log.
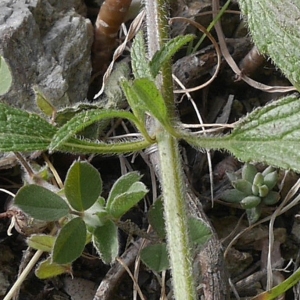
(270, 135)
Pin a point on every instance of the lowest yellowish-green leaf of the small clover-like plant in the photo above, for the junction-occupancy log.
(47, 269)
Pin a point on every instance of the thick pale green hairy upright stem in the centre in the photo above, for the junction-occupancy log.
(170, 163)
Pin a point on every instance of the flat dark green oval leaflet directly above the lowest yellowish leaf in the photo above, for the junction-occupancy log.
(70, 242)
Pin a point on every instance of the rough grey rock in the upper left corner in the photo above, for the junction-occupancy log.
(46, 44)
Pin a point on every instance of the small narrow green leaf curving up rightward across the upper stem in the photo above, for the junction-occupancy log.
(167, 51)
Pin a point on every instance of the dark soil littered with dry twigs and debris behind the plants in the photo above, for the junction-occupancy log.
(225, 100)
